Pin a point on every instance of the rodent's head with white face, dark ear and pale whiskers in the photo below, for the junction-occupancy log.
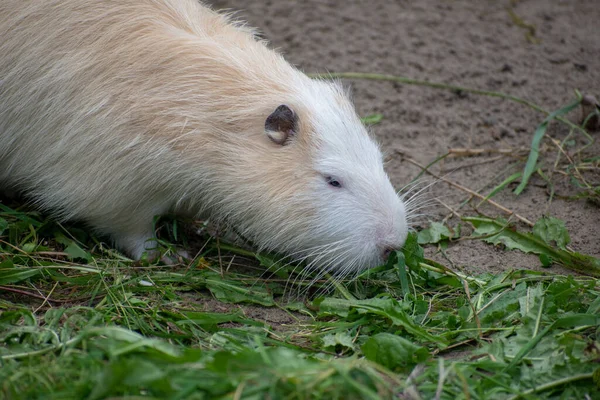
(328, 199)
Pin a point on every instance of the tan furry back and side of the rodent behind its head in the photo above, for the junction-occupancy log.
(139, 80)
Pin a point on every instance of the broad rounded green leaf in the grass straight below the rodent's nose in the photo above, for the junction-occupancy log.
(393, 352)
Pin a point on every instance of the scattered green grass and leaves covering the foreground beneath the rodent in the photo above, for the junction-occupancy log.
(80, 321)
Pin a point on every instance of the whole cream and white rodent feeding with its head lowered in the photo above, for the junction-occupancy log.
(113, 112)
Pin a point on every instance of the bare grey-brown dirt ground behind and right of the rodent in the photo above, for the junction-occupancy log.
(484, 45)
